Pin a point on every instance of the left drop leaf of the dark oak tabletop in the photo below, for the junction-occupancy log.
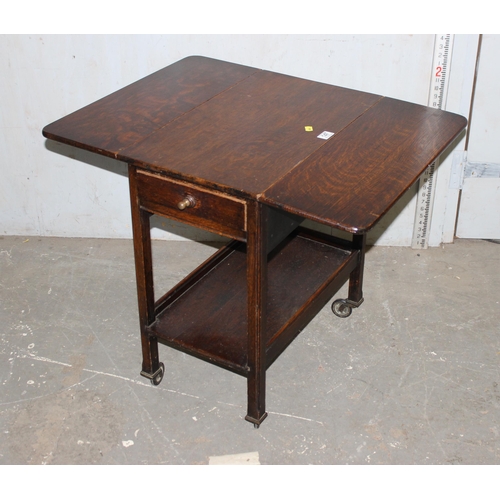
(133, 113)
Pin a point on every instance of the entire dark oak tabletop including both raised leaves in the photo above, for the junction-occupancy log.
(242, 131)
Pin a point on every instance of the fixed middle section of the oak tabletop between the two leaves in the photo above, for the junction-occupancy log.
(245, 139)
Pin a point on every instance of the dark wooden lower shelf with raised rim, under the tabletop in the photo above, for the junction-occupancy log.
(207, 318)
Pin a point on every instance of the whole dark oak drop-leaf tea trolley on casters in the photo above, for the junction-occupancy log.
(250, 154)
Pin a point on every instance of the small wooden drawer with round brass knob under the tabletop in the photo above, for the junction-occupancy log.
(184, 202)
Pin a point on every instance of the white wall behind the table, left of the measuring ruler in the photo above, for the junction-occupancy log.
(53, 190)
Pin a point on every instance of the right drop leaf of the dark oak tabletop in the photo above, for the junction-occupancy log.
(360, 173)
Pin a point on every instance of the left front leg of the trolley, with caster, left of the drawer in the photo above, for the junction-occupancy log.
(151, 367)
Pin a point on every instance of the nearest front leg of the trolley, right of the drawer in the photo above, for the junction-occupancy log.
(257, 288)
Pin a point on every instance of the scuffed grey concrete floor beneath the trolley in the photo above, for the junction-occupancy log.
(410, 378)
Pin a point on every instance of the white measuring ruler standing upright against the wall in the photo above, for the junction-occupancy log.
(437, 99)
